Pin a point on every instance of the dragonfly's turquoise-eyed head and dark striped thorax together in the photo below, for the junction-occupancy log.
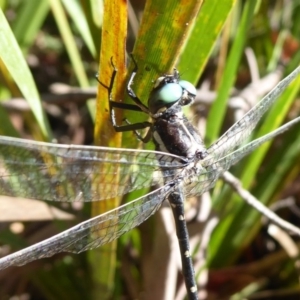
(172, 132)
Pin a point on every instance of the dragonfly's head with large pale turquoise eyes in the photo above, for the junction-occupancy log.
(168, 91)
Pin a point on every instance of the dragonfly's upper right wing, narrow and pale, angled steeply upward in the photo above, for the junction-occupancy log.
(238, 133)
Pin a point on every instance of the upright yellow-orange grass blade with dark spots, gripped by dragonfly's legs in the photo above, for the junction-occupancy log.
(114, 33)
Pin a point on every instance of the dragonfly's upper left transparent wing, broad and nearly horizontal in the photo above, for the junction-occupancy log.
(55, 172)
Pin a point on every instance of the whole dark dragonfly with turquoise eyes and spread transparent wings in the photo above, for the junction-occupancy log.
(180, 167)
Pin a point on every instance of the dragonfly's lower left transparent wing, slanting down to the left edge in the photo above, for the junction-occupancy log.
(93, 233)
